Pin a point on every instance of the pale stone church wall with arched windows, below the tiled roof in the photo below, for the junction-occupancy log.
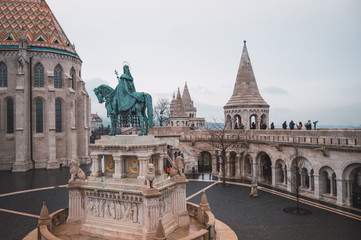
(50, 149)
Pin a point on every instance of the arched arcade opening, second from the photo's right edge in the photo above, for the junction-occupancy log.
(327, 181)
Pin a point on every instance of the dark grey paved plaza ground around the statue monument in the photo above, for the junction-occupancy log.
(250, 218)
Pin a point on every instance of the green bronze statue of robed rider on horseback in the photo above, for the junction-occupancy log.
(126, 102)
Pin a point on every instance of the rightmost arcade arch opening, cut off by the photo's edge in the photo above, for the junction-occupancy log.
(352, 183)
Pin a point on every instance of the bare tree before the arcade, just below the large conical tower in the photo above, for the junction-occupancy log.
(222, 140)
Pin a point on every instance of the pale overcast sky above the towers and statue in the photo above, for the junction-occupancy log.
(306, 55)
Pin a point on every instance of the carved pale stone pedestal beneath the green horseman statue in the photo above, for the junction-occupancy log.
(117, 203)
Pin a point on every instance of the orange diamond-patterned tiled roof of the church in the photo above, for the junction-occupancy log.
(43, 31)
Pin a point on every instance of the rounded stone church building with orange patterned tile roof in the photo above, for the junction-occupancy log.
(44, 107)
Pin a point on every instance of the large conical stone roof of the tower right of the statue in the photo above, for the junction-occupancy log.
(245, 92)
